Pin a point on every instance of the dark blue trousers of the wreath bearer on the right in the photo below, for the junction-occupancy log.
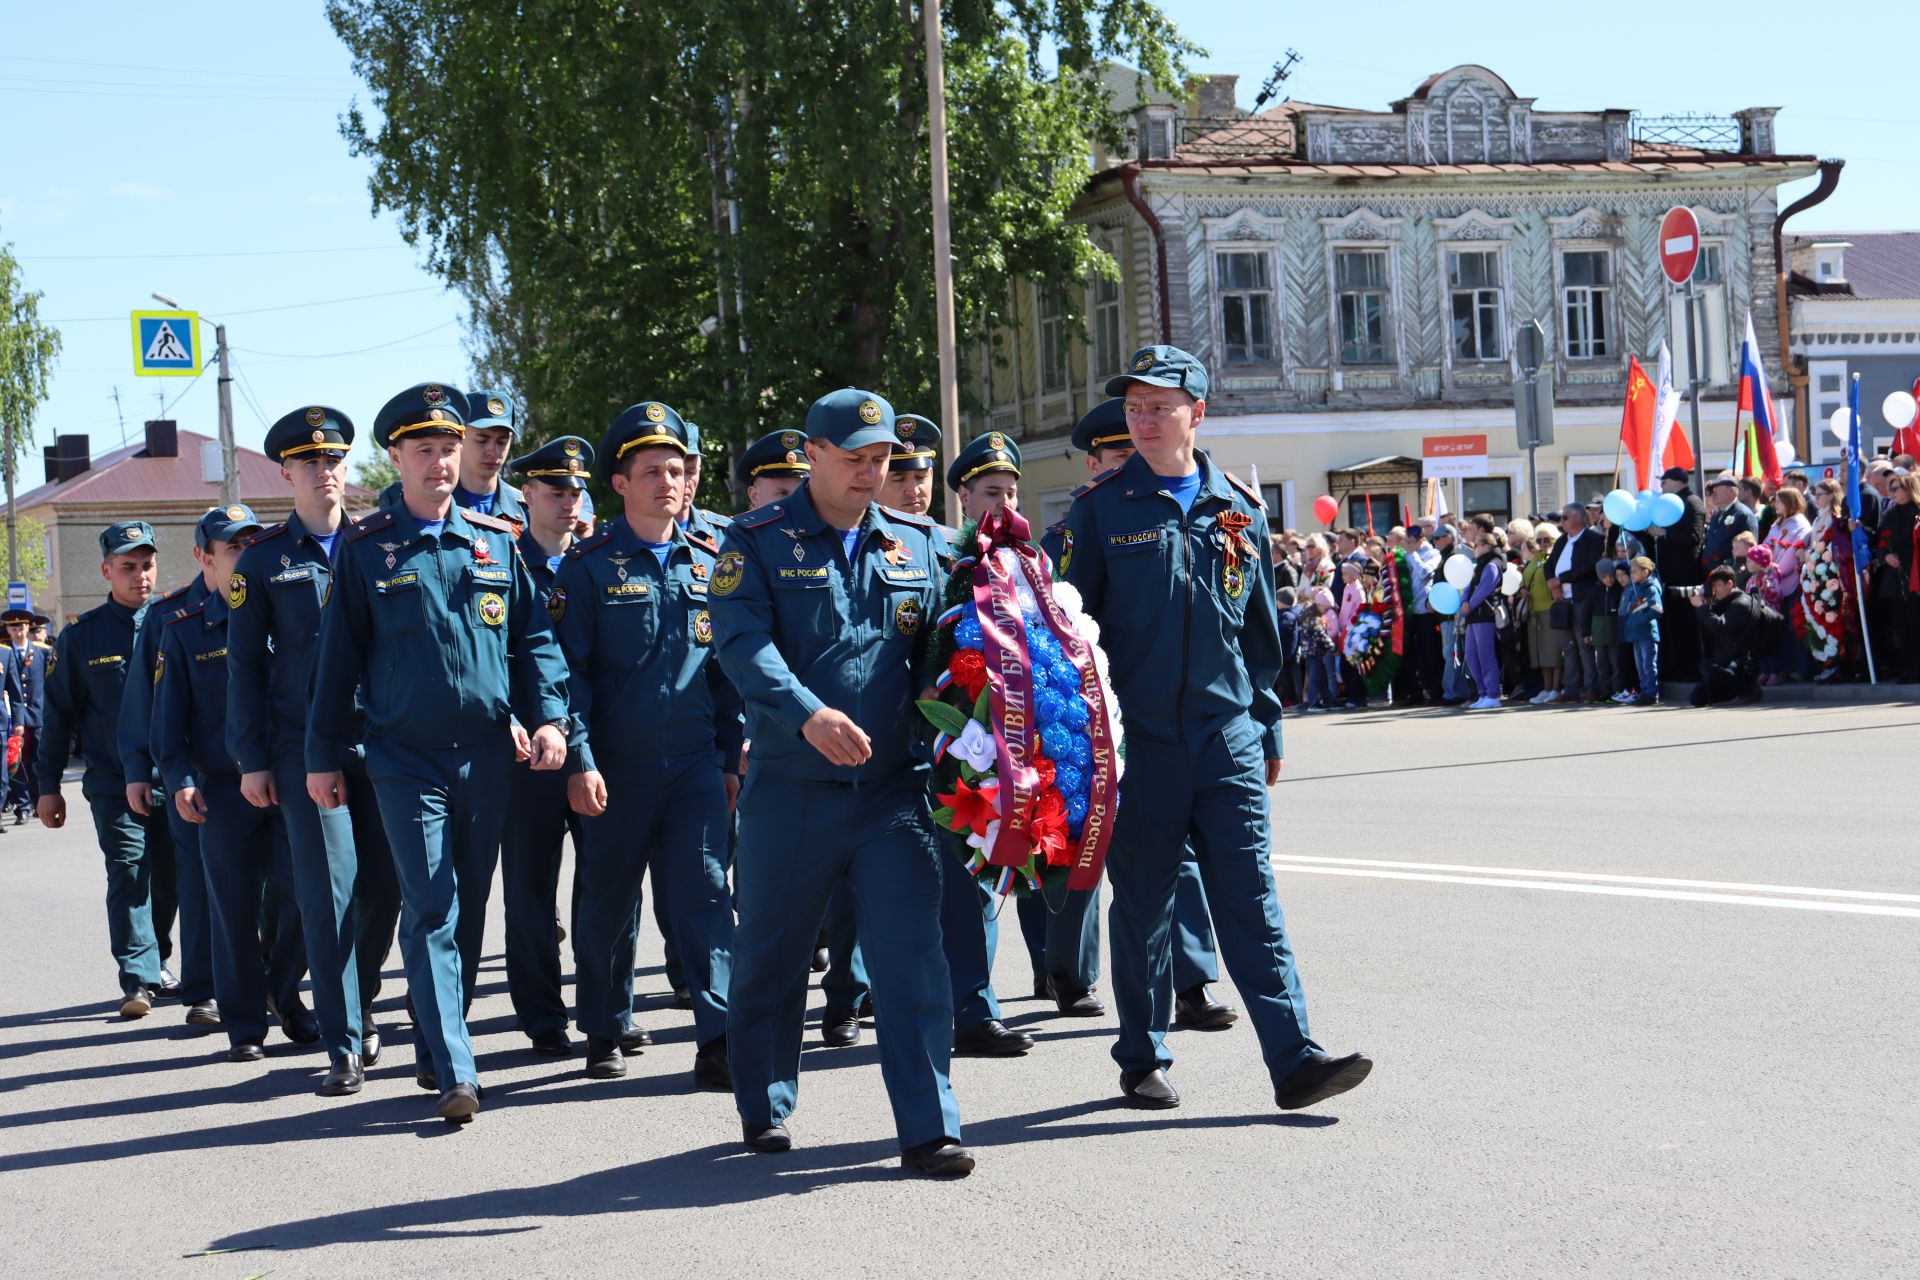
(1212, 792)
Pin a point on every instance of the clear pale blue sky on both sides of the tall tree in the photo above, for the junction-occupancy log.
(193, 149)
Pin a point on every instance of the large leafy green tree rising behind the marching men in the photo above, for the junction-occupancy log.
(725, 204)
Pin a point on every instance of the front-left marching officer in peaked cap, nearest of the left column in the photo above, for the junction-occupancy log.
(437, 613)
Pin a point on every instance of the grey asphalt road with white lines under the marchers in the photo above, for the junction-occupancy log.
(1577, 1076)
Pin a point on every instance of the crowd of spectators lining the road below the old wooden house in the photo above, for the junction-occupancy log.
(1752, 588)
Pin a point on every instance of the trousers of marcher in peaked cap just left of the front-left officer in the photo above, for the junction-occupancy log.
(348, 895)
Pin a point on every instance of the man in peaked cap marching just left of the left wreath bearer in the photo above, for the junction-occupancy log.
(658, 770)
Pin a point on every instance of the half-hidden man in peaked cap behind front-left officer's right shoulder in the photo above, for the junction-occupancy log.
(539, 817)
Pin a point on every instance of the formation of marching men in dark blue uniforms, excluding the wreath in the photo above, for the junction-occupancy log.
(341, 728)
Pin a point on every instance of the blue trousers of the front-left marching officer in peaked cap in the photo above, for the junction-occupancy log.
(443, 813)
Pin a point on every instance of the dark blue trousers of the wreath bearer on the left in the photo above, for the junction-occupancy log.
(800, 841)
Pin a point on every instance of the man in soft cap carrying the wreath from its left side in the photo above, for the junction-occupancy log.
(823, 607)
